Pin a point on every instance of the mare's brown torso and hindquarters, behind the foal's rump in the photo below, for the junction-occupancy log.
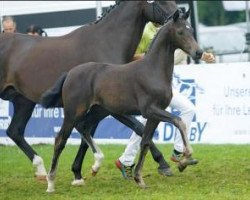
(32, 64)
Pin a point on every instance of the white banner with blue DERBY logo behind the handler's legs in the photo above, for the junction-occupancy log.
(221, 94)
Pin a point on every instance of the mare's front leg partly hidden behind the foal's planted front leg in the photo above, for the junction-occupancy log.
(138, 127)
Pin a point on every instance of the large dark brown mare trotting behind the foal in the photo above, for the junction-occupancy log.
(30, 65)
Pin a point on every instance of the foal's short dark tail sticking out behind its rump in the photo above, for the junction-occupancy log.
(53, 96)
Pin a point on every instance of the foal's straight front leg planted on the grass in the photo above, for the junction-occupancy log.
(150, 127)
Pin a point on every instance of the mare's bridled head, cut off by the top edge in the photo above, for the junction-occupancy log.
(158, 11)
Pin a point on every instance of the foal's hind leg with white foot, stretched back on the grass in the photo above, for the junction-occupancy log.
(60, 142)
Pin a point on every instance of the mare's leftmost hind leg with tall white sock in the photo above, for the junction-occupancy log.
(22, 112)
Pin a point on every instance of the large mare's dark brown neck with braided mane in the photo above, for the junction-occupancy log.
(122, 28)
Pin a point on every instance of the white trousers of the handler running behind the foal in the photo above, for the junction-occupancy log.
(187, 111)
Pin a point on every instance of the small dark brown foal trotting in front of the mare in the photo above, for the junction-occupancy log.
(140, 87)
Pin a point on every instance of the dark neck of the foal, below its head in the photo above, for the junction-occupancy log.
(161, 55)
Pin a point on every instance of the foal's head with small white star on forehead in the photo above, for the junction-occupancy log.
(181, 35)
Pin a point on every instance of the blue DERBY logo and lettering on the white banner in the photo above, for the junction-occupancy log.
(189, 89)
